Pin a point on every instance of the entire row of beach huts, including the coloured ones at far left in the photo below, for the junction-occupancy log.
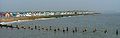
(42, 13)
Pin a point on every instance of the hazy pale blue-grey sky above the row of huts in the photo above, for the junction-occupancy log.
(26, 5)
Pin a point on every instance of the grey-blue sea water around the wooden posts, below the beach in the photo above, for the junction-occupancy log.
(105, 21)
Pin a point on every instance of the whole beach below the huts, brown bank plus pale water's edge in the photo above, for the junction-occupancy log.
(31, 18)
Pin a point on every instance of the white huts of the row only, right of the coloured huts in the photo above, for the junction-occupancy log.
(48, 13)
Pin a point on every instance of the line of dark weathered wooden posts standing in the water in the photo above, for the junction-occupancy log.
(56, 29)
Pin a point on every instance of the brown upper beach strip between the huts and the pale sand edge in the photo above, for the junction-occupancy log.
(10, 19)
